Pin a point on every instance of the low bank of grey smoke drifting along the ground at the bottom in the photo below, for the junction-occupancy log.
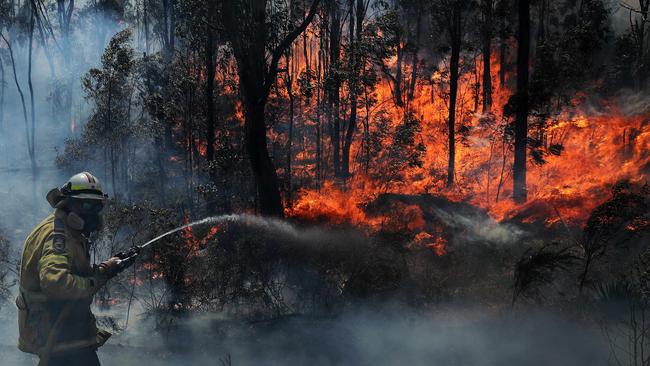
(391, 335)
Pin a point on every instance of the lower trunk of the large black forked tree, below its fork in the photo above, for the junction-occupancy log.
(263, 169)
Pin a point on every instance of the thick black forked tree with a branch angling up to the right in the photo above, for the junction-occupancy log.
(247, 31)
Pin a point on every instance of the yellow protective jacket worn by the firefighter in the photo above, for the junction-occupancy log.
(56, 291)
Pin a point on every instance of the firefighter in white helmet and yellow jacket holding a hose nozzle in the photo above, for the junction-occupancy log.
(58, 282)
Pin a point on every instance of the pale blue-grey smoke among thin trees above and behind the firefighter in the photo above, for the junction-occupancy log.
(22, 193)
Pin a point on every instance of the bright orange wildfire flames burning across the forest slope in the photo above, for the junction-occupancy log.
(583, 154)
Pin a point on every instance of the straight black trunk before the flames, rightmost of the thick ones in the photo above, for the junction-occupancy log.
(521, 122)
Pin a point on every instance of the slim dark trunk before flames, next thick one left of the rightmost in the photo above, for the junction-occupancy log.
(455, 33)
